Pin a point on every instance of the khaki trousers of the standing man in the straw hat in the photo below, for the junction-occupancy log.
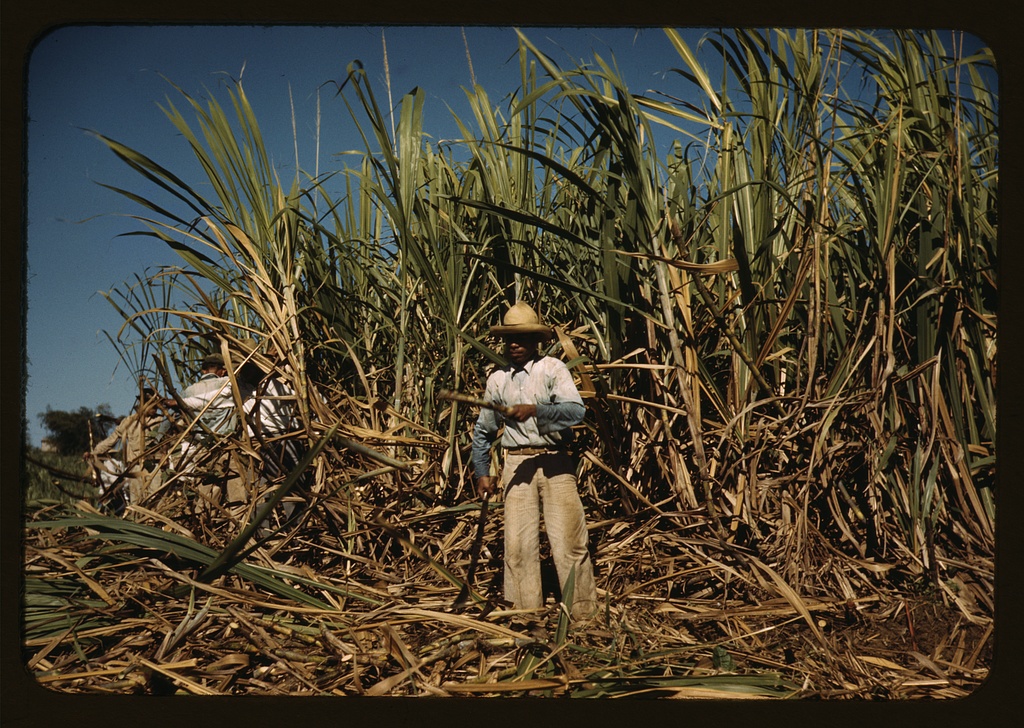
(530, 482)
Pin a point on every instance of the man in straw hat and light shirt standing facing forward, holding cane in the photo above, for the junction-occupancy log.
(539, 470)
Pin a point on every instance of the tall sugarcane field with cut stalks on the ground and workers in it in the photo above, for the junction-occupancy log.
(744, 347)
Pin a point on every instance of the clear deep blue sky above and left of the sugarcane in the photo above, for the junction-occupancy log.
(110, 79)
